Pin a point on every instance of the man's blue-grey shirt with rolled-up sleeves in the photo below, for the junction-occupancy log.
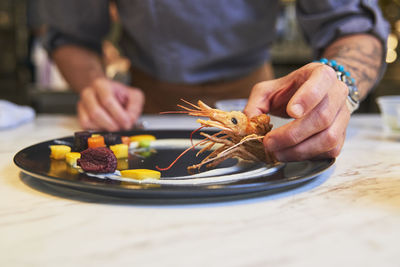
(199, 41)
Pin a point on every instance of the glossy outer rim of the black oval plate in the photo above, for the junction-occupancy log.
(170, 191)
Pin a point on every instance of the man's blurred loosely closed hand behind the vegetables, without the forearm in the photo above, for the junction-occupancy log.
(109, 105)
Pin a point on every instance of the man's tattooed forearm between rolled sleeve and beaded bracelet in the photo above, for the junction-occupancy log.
(361, 55)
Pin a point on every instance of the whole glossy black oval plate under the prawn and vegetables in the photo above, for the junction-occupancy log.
(35, 161)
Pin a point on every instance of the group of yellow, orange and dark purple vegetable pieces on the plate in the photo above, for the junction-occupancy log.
(100, 154)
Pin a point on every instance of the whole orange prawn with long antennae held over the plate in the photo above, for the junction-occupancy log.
(240, 136)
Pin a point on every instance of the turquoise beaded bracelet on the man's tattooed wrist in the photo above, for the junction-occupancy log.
(353, 100)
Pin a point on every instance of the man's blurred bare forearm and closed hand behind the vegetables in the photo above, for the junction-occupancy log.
(104, 104)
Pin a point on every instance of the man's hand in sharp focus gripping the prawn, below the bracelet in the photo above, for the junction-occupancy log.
(316, 99)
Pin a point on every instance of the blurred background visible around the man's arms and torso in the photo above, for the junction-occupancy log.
(28, 77)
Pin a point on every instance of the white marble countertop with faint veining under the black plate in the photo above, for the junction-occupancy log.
(349, 216)
